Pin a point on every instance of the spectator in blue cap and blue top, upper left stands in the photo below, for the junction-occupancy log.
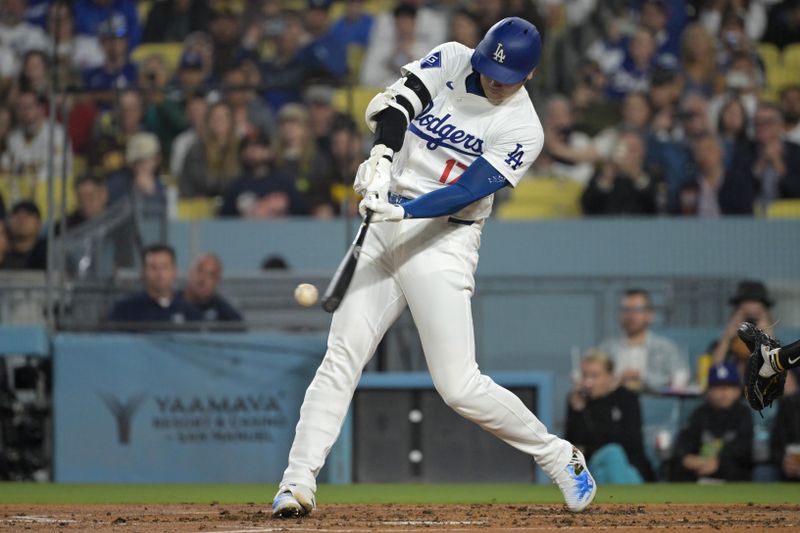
(117, 72)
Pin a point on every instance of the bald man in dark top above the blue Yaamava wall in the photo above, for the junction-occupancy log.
(201, 290)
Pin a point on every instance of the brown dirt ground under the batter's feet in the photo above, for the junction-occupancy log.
(256, 518)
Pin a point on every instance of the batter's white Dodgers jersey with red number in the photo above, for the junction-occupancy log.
(457, 127)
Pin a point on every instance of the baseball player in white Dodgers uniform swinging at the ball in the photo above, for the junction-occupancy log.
(454, 129)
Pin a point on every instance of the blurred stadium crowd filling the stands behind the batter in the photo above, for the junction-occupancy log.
(204, 108)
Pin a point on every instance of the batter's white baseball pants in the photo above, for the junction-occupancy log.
(429, 265)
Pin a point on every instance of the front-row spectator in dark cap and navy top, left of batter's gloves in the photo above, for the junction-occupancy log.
(261, 192)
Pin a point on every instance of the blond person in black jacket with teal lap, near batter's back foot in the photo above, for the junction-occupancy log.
(604, 420)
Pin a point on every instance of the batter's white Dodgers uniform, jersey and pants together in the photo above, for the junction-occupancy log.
(428, 265)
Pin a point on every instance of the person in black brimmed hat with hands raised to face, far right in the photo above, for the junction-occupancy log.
(751, 303)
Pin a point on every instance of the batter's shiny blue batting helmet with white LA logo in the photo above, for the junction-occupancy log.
(509, 51)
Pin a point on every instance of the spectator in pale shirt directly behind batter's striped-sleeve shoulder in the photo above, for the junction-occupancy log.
(385, 57)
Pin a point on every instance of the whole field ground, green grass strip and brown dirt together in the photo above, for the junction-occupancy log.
(155, 508)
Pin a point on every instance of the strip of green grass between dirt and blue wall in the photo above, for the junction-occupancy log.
(32, 493)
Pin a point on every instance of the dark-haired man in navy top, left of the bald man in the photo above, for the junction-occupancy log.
(158, 302)
